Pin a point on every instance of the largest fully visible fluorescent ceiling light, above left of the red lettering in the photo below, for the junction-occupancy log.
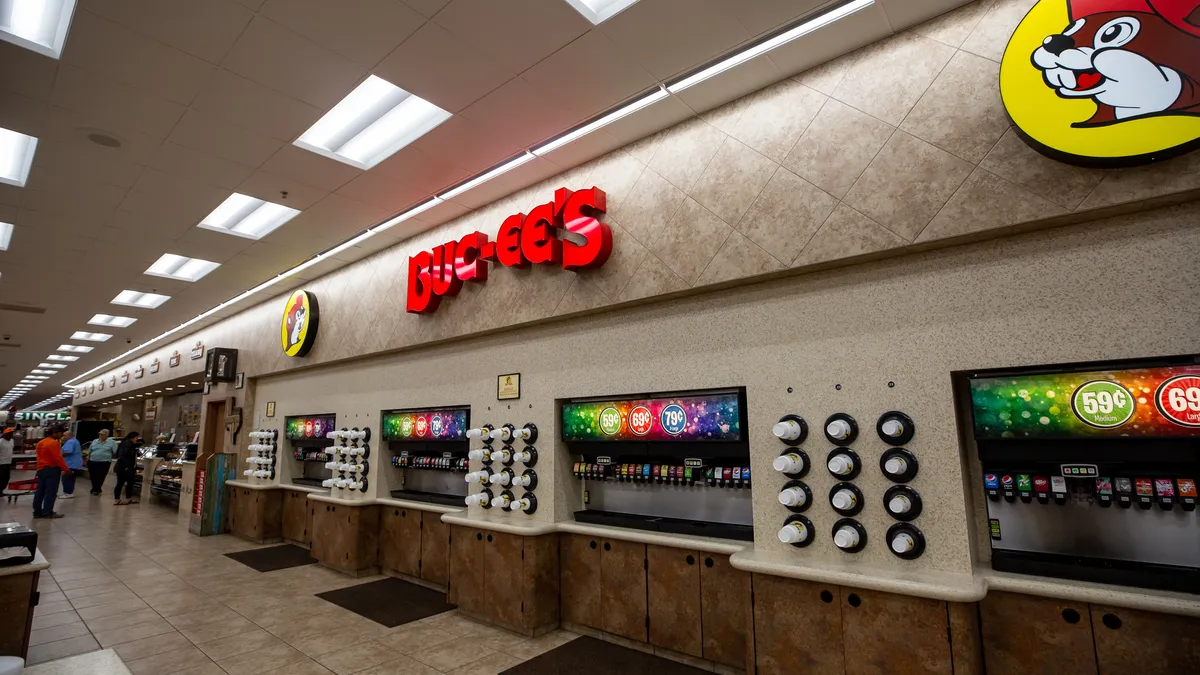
(371, 124)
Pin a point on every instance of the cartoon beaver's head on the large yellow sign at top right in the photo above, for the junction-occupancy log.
(1127, 63)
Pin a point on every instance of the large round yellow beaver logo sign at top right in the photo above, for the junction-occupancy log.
(1106, 83)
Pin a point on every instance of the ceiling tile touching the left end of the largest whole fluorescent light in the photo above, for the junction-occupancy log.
(251, 105)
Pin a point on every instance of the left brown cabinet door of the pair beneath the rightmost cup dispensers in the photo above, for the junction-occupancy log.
(797, 628)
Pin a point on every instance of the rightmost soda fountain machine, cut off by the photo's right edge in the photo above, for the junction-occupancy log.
(1091, 470)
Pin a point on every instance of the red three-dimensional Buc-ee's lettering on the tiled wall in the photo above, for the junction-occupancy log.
(523, 240)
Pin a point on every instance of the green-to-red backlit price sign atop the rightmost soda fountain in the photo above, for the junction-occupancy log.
(1131, 403)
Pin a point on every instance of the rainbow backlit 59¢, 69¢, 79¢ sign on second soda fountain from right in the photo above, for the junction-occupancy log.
(705, 417)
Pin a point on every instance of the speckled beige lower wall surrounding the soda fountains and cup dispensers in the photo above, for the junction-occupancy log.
(1087, 292)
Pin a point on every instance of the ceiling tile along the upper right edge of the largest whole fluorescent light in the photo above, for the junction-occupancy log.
(442, 69)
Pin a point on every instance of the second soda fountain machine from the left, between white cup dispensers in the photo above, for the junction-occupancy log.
(430, 446)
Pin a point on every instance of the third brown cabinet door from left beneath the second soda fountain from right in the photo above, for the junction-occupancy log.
(673, 582)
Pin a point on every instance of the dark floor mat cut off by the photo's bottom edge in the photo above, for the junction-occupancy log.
(591, 656)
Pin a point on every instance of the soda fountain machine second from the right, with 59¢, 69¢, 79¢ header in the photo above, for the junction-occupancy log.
(671, 463)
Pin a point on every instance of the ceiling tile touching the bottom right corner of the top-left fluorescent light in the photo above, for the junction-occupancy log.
(122, 107)
